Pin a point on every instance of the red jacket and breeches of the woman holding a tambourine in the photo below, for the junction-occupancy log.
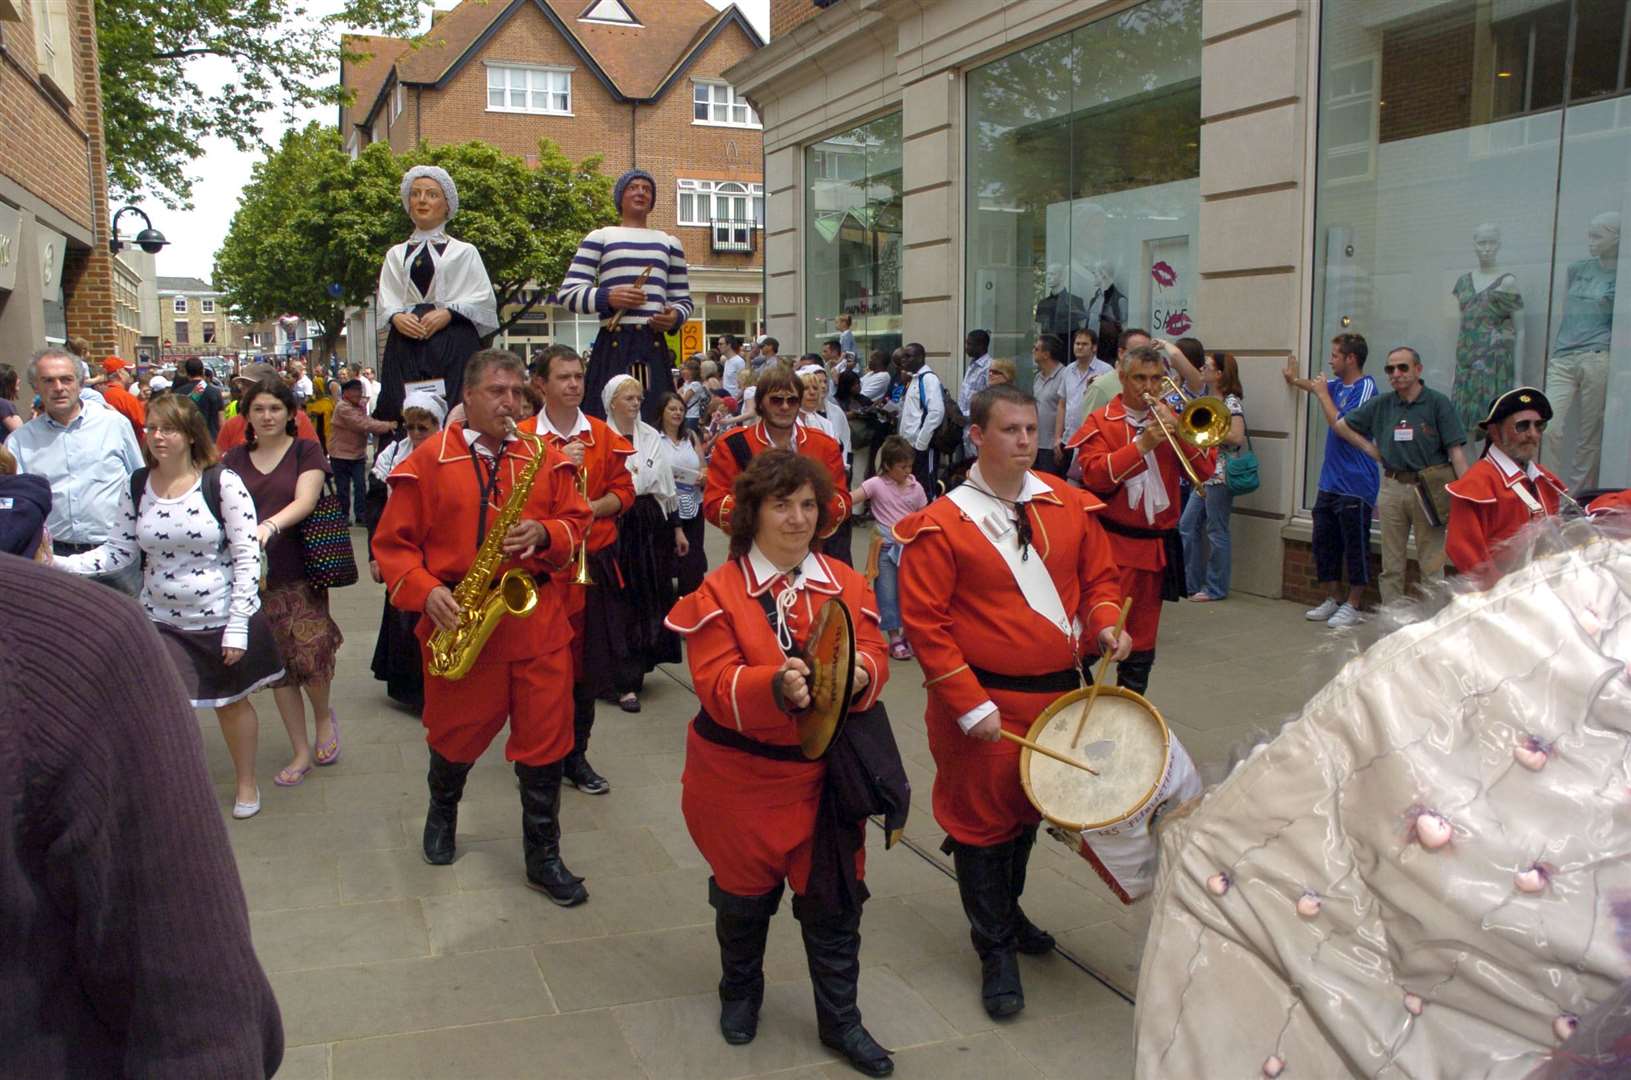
(753, 818)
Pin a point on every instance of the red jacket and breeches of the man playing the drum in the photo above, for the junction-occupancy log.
(963, 608)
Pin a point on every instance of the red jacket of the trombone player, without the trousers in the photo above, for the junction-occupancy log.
(1110, 459)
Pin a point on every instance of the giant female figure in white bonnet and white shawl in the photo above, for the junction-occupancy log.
(436, 294)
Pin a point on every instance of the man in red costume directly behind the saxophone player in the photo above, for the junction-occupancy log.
(601, 456)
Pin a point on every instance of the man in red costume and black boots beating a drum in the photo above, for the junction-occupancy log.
(1004, 585)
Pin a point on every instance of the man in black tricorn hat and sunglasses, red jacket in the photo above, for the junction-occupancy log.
(1506, 489)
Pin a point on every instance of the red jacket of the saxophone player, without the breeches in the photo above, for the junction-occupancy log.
(428, 534)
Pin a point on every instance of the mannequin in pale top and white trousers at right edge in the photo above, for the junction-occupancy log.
(1578, 371)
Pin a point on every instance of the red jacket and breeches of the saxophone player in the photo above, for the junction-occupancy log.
(428, 539)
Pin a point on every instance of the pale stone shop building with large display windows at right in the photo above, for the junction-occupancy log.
(1260, 174)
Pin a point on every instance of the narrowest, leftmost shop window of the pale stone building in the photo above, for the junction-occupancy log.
(852, 237)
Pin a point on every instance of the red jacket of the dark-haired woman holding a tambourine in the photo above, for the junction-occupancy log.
(735, 657)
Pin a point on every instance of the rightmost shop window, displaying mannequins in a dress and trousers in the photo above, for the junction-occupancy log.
(1474, 164)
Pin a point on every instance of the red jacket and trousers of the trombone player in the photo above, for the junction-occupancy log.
(1110, 459)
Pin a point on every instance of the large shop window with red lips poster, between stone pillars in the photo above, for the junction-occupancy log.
(1084, 179)
